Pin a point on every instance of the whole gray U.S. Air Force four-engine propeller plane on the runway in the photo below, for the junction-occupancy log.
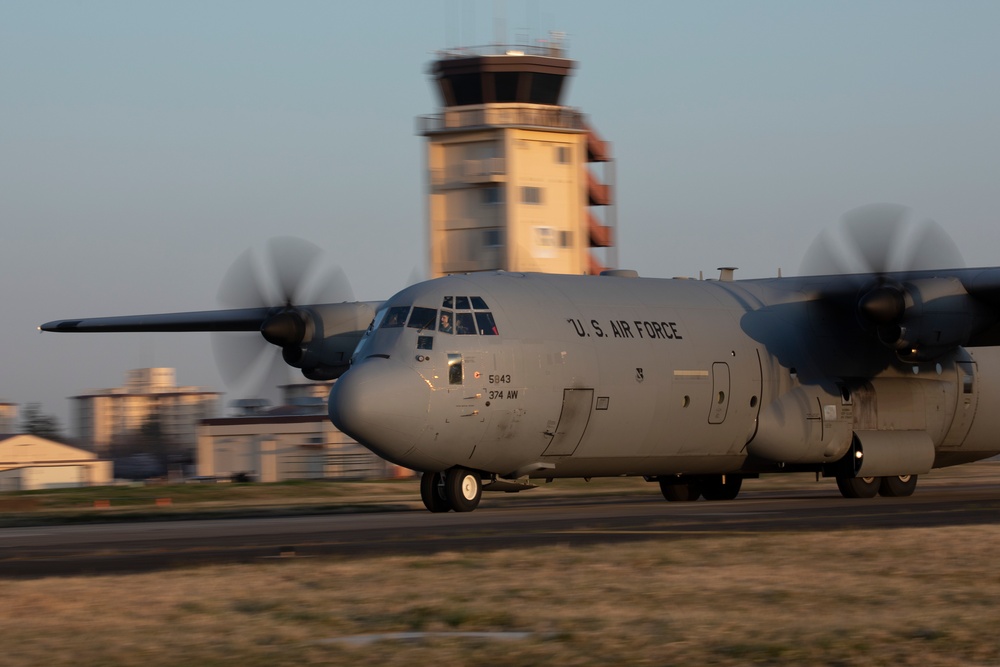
(495, 381)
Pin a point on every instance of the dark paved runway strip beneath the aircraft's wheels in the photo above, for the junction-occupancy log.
(500, 522)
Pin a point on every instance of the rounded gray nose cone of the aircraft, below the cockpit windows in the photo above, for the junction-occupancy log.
(383, 404)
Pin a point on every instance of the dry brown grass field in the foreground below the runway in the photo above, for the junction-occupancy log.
(900, 597)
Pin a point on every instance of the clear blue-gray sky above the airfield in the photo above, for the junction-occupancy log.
(144, 145)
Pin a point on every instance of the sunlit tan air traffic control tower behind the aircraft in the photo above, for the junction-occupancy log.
(511, 171)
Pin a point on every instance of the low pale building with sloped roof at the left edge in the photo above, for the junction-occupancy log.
(29, 463)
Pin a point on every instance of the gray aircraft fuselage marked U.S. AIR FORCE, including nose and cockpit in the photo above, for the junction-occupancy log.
(570, 376)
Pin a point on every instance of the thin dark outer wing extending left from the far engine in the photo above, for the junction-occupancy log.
(241, 319)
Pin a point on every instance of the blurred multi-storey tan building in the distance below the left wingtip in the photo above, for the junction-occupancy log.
(104, 415)
